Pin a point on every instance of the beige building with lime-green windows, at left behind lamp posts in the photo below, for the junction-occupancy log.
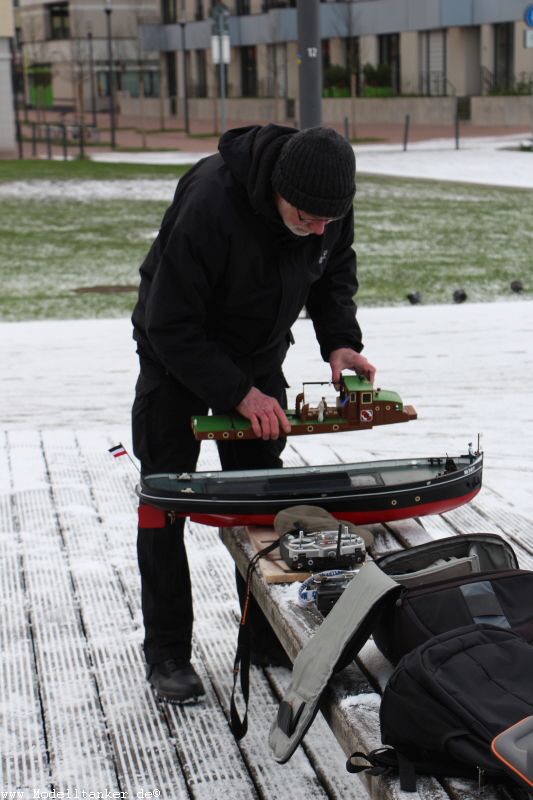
(73, 49)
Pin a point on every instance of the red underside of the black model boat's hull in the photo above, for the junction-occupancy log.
(363, 517)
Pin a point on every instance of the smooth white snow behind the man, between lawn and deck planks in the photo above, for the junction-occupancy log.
(467, 369)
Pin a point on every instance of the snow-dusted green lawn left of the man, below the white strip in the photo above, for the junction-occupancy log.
(53, 247)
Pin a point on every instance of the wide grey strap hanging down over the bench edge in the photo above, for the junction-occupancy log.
(344, 631)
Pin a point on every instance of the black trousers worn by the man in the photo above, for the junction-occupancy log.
(163, 442)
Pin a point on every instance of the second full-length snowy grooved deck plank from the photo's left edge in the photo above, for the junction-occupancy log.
(112, 639)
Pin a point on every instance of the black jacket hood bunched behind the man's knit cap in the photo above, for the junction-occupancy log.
(250, 154)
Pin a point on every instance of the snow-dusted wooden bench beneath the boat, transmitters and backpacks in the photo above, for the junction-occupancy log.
(351, 702)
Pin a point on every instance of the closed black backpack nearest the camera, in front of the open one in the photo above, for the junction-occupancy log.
(448, 700)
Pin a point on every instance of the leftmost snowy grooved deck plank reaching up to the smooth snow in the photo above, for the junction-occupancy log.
(79, 754)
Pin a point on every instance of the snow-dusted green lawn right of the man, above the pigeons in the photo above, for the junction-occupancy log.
(435, 237)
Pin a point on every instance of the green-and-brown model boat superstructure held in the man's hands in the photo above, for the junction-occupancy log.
(358, 407)
